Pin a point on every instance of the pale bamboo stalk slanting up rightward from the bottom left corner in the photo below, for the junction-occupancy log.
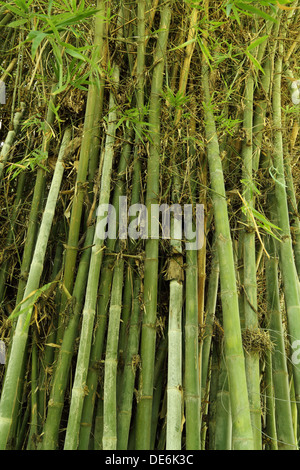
(7, 403)
